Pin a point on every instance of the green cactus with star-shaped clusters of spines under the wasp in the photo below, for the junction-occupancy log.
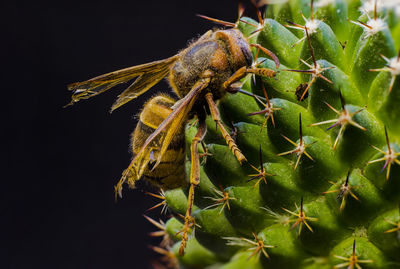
(321, 188)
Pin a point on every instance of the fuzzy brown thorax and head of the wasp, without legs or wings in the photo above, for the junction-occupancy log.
(222, 51)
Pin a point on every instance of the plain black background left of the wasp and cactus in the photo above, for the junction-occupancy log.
(57, 202)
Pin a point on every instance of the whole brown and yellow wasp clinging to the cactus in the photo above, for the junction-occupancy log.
(200, 75)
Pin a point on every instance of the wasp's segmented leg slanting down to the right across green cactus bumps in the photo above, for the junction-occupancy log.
(229, 140)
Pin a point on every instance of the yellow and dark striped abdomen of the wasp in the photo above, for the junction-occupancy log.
(170, 173)
